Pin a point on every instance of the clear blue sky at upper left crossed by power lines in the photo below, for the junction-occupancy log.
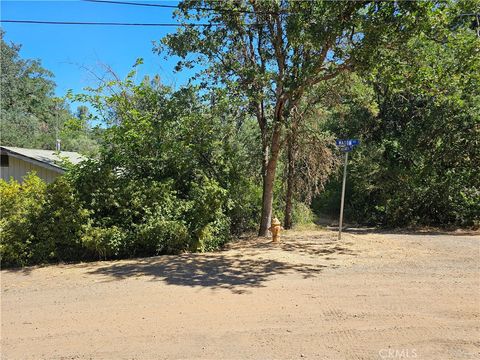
(67, 49)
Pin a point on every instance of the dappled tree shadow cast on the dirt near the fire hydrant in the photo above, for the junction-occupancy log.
(246, 264)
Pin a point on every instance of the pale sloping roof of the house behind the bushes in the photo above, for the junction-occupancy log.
(46, 158)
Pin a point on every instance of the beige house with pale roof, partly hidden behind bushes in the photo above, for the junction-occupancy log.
(17, 162)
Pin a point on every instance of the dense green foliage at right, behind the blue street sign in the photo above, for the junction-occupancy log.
(418, 161)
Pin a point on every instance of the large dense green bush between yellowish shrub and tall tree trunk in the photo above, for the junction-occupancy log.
(174, 176)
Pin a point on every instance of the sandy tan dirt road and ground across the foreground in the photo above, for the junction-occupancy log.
(369, 296)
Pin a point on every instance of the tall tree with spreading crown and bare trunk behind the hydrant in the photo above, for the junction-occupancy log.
(272, 52)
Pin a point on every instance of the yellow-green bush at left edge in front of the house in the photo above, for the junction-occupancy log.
(41, 223)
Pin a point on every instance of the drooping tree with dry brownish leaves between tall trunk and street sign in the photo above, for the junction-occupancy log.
(310, 158)
